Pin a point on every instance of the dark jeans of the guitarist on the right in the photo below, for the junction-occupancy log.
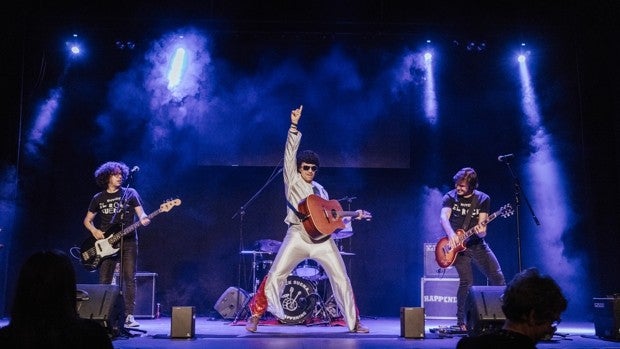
(485, 260)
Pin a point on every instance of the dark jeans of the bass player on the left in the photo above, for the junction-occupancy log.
(128, 281)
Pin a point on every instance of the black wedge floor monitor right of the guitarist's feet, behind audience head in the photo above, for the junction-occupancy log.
(484, 309)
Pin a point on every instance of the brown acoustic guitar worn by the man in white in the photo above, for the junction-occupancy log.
(324, 217)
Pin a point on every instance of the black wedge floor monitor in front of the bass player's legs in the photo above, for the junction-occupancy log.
(102, 303)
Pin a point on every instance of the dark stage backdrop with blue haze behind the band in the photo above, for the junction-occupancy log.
(374, 141)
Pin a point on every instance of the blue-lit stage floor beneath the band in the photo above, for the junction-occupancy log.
(384, 333)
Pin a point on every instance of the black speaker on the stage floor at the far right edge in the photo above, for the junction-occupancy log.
(607, 317)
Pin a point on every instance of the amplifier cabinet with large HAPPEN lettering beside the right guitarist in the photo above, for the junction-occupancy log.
(439, 297)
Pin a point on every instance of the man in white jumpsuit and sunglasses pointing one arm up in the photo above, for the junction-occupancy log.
(299, 172)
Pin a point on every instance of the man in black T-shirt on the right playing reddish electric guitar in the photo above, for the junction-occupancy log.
(465, 208)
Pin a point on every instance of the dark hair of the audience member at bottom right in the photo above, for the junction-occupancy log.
(531, 291)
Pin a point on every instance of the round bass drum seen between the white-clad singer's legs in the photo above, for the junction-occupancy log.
(298, 300)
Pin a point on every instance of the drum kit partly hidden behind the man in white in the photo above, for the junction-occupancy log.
(300, 299)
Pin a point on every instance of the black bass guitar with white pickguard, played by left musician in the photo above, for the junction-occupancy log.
(93, 251)
